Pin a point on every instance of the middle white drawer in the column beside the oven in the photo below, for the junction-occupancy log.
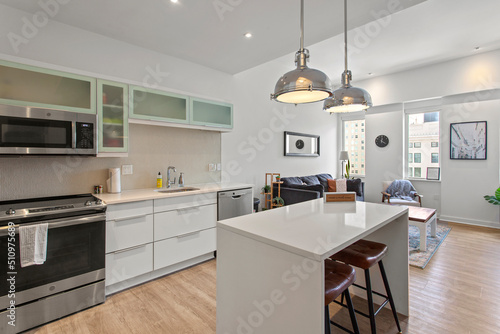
(126, 233)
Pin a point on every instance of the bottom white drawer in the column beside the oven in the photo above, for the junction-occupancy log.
(128, 263)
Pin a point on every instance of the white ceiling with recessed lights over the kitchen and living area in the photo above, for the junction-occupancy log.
(211, 32)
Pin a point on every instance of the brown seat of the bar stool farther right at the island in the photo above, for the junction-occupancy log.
(362, 254)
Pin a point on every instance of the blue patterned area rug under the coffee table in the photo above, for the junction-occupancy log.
(420, 258)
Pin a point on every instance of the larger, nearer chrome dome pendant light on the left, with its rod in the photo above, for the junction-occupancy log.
(304, 84)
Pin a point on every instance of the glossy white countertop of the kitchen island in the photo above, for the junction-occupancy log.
(314, 229)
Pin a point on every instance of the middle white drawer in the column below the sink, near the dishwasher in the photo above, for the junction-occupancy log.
(181, 221)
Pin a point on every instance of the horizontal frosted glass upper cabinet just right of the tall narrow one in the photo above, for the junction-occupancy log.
(157, 105)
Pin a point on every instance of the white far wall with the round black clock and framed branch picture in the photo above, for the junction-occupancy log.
(469, 91)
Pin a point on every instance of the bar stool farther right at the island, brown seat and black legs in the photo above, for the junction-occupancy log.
(365, 254)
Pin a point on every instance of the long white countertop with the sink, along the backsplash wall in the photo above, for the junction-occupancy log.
(153, 193)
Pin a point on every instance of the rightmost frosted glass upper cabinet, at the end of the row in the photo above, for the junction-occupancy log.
(211, 113)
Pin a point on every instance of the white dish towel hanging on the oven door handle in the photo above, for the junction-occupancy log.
(33, 244)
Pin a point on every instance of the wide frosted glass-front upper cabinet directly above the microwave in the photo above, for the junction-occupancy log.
(30, 86)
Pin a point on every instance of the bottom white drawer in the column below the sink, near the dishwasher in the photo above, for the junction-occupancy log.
(174, 250)
